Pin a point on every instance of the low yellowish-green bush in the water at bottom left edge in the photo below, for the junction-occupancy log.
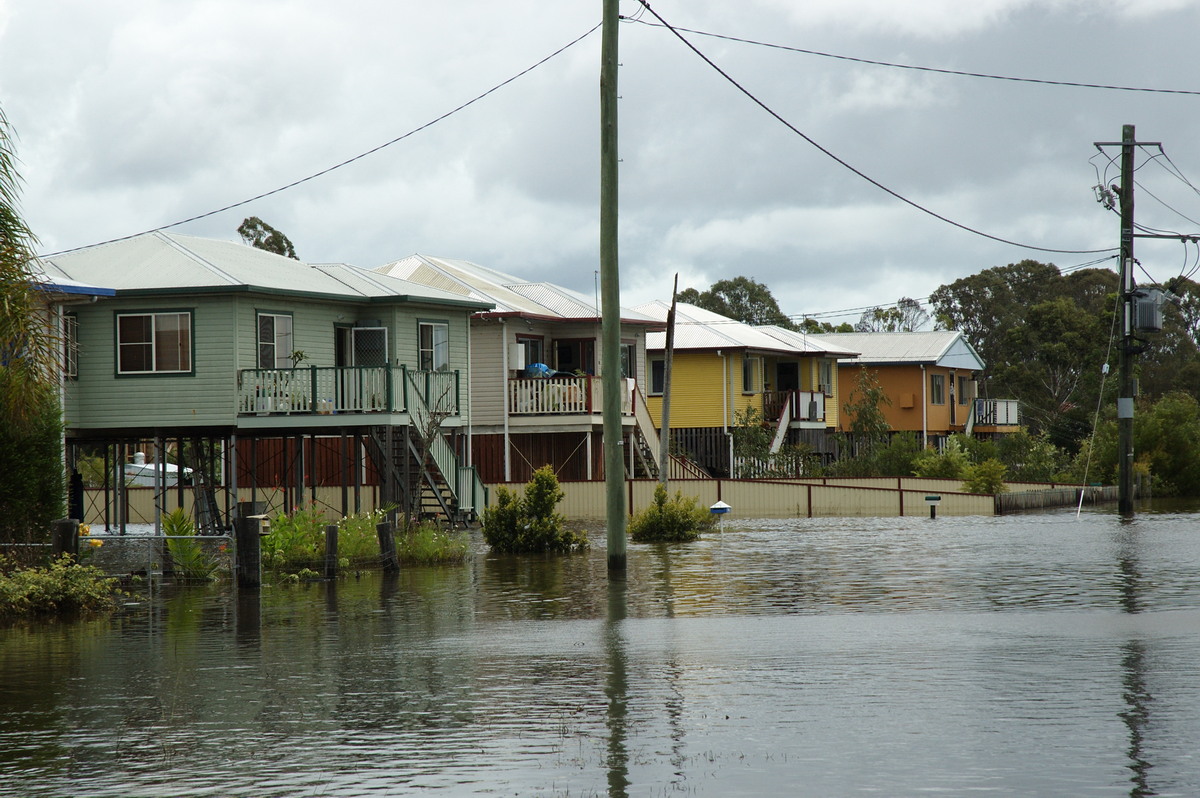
(62, 589)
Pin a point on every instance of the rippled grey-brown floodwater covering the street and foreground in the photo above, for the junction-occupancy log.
(1023, 656)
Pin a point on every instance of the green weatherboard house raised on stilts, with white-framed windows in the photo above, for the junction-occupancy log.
(254, 373)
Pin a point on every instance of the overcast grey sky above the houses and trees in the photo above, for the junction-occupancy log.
(135, 115)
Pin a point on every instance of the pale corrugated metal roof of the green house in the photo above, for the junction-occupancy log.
(171, 262)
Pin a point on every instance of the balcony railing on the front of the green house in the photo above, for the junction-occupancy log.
(327, 392)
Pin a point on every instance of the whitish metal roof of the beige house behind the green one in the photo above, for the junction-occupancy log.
(508, 293)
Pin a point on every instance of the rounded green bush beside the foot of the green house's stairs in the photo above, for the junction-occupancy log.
(530, 524)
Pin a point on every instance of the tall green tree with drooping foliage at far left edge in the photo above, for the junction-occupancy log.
(31, 422)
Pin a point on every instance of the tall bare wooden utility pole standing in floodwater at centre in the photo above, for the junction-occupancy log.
(610, 297)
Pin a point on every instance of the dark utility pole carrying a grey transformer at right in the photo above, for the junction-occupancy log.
(1125, 364)
